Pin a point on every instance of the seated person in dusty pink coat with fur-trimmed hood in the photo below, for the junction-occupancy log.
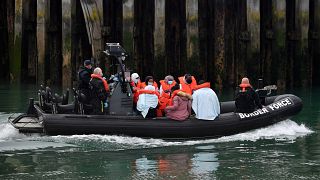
(181, 104)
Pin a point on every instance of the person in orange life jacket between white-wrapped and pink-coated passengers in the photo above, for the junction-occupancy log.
(165, 90)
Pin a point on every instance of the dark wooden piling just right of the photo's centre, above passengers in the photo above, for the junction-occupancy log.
(175, 37)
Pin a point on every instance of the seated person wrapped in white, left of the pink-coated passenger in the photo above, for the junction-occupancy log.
(148, 101)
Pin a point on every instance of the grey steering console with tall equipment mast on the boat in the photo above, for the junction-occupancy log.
(121, 100)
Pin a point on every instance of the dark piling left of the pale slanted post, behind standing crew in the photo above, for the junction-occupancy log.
(80, 46)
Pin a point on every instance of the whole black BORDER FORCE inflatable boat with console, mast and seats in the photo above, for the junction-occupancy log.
(52, 115)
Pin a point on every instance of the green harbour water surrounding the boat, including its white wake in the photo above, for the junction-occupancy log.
(287, 150)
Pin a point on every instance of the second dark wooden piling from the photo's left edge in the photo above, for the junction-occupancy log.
(29, 52)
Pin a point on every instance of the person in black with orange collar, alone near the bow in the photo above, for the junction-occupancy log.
(247, 99)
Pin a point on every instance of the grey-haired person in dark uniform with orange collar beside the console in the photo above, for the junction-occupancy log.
(99, 89)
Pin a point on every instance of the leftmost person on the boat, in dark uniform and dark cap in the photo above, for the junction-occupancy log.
(84, 76)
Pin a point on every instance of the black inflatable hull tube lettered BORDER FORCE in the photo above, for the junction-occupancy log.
(230, 123)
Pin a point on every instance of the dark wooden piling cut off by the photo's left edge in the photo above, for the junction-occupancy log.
(4, 45)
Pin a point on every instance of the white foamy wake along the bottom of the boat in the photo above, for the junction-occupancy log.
(283, 131)
